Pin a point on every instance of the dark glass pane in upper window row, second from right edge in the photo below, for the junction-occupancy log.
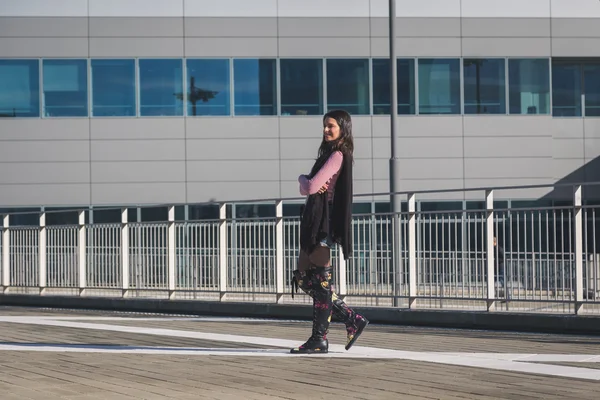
(566, 89)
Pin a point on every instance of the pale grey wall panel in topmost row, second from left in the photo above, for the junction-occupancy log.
(135, 8)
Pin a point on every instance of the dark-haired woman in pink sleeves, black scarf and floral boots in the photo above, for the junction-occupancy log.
(326, 220)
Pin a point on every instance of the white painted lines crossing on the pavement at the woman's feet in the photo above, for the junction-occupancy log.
(495, 361)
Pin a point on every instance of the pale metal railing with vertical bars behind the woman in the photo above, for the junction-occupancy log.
(441, 259)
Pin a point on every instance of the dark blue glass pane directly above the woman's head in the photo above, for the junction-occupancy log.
(348, 85)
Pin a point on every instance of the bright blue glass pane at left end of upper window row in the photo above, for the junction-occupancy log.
(19, 88)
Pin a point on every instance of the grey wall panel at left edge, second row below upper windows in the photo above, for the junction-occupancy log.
(44, 151)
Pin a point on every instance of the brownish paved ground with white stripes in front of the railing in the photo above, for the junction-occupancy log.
(65, 354)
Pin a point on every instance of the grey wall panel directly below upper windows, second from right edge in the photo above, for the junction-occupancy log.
(502, 126)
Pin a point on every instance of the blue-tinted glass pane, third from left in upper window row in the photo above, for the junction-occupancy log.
(113, 88)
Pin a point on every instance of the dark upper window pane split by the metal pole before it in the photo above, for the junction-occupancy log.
(381, 86)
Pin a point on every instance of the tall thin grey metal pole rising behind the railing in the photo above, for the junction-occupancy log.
(394, 167)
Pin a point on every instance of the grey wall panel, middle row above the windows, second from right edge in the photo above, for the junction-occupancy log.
(506, 27)
